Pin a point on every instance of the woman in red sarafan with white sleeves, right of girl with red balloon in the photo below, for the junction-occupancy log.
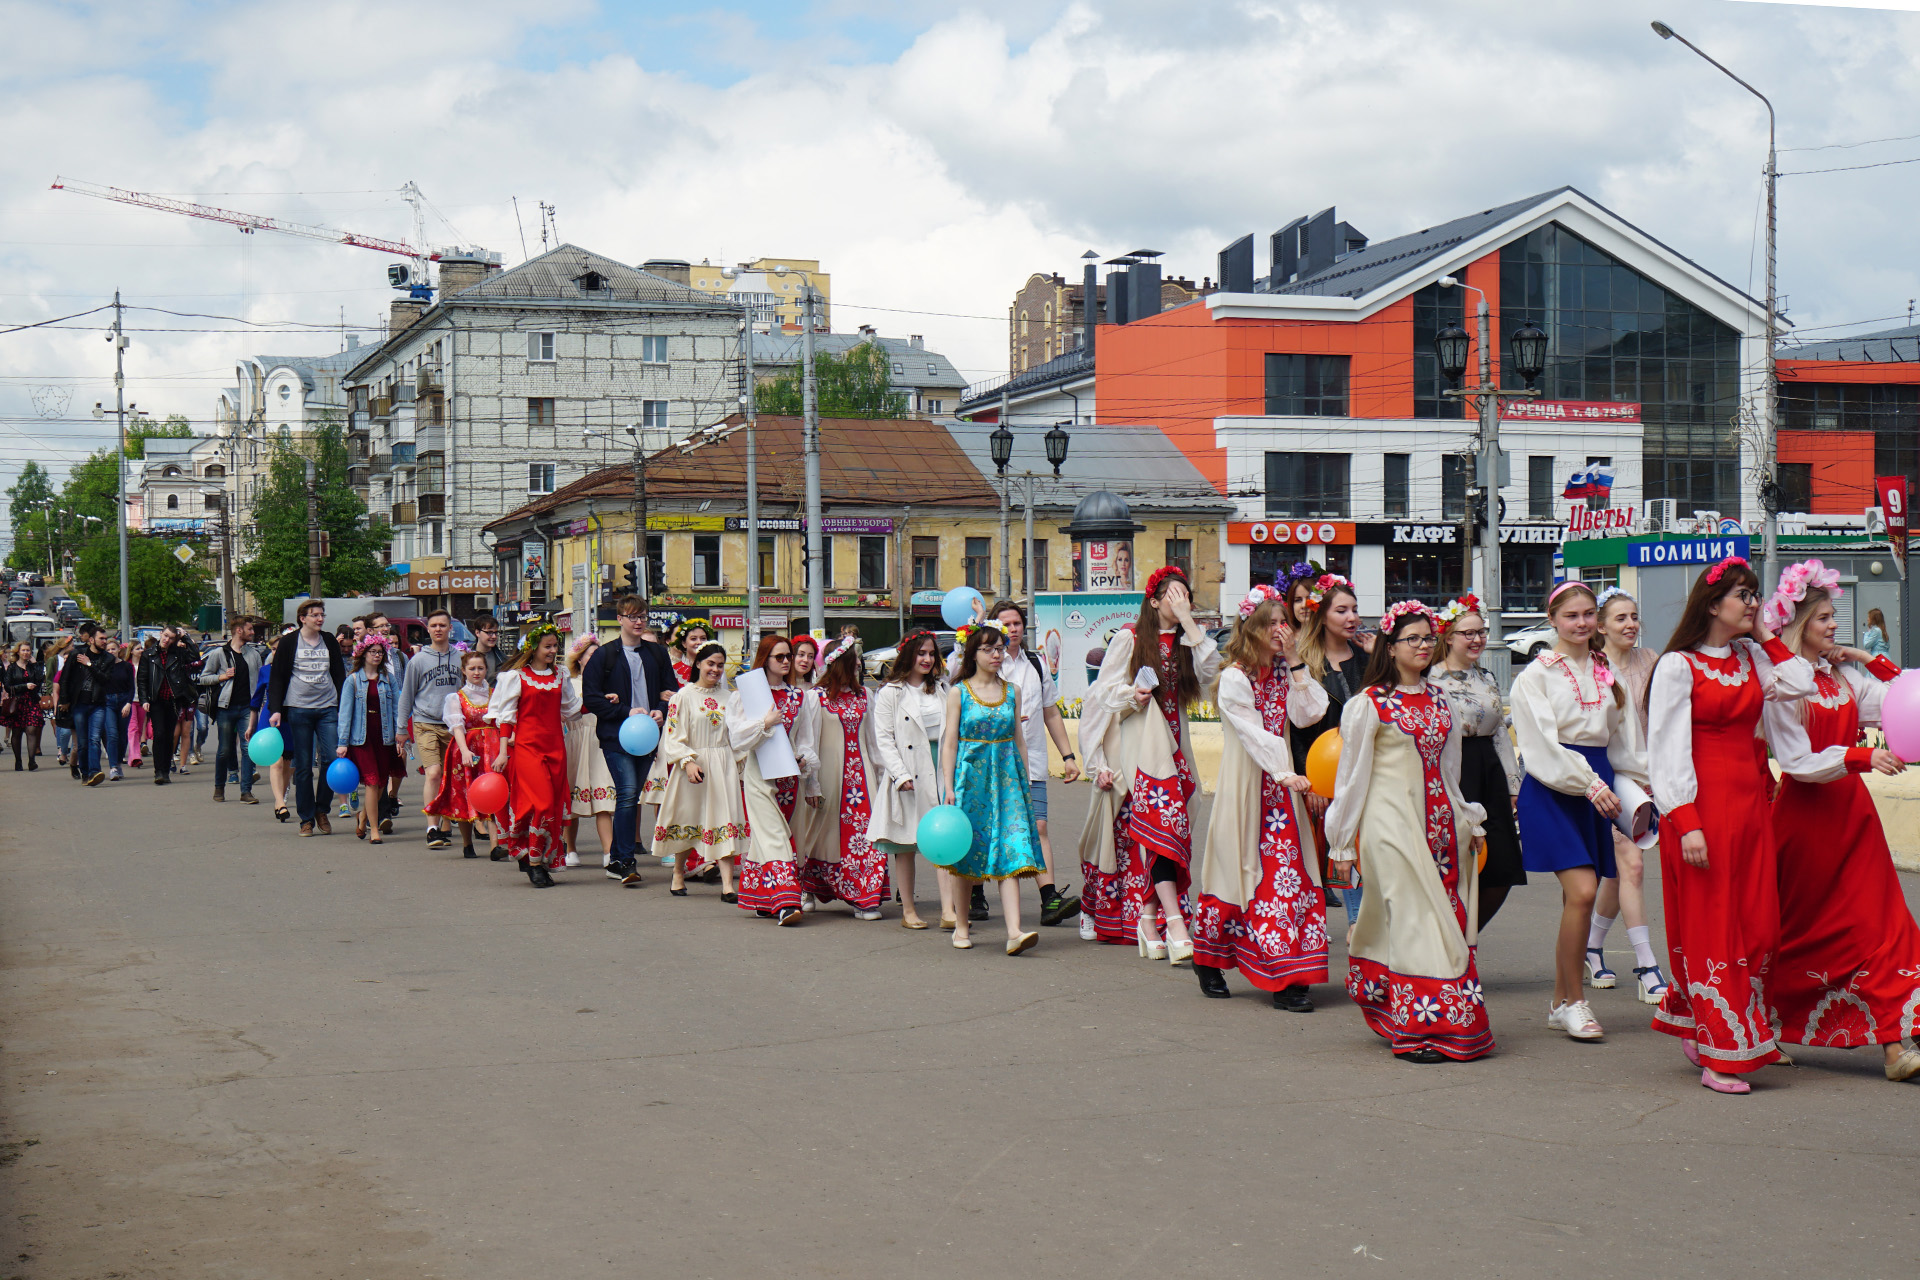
(529, 703)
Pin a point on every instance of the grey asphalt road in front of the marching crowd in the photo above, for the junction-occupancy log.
(233, 1053)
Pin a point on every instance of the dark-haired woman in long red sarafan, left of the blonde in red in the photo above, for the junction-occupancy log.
(1717, 838)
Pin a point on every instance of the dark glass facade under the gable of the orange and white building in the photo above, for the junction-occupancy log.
(1618, 337)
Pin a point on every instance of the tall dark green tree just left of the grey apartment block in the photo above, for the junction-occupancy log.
(352, 563)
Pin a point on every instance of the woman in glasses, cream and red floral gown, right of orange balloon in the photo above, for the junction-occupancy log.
(1397, 807)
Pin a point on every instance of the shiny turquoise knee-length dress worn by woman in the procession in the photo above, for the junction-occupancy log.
(992, 784)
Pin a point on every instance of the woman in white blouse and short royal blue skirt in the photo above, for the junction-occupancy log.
(1577, 736)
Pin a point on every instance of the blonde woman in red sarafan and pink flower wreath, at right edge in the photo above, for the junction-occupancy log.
(1848, 970)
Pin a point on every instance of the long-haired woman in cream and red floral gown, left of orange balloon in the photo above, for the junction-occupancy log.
(1260, 907)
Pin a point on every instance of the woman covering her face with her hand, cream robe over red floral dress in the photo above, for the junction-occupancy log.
(1138, 845)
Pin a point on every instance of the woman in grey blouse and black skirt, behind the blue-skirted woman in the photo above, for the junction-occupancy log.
(1489, 770)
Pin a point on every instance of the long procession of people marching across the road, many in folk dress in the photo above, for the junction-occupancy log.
(1378, 770)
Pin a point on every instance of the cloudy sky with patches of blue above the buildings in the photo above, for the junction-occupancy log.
(930, 154)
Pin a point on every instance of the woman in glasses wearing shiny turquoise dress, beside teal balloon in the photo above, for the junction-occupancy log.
(984, 774)
